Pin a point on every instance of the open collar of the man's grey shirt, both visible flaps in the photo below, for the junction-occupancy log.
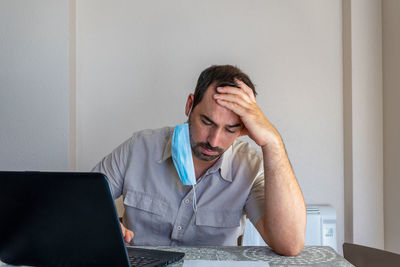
(223, 164)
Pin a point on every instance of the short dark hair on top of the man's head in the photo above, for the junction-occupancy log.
(223, 75)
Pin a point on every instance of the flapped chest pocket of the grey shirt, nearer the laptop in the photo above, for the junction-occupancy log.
(147, 217)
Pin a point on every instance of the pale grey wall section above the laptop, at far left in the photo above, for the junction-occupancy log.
(34, 111)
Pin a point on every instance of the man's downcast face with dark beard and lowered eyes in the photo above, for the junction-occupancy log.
(213, 128)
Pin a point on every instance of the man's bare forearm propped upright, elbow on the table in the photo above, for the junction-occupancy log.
(285, 212)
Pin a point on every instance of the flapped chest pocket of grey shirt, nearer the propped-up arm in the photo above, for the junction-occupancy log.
(218, 227)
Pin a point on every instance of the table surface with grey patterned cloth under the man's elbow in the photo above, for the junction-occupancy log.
(309, 256)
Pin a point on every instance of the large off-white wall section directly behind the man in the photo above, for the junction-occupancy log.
(138, 60)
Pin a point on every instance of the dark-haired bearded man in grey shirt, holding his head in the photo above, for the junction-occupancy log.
(234, 180)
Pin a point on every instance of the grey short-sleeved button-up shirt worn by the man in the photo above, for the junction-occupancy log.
(159, 208)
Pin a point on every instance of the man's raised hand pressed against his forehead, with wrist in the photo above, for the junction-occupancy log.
(243, 103)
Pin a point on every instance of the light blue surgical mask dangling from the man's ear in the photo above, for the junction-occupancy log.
(182, 154)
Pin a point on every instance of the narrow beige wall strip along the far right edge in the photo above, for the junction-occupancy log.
(391, 99)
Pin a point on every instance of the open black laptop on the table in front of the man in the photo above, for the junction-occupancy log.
(65, 219)
